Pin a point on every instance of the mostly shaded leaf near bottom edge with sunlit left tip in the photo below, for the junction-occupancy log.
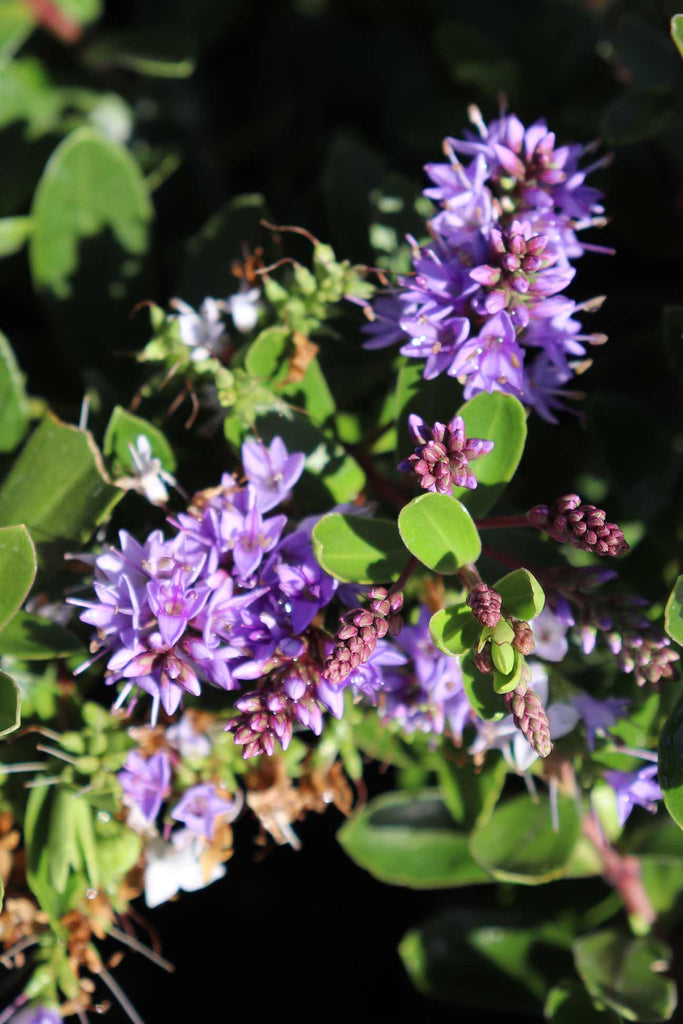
(486, 959)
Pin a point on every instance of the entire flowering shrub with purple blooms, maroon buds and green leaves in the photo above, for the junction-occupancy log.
(305, 543)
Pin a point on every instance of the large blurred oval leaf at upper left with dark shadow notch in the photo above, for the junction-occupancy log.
(91, 185)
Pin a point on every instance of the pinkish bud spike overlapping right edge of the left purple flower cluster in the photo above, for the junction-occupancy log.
(359, 632)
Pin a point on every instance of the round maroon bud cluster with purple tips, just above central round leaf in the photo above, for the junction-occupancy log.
(443, 455)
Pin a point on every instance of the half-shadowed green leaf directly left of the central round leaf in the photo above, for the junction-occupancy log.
(356, 549)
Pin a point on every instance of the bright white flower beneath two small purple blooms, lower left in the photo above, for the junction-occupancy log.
(176, 866)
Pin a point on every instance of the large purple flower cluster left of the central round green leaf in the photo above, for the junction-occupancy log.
(228, 600)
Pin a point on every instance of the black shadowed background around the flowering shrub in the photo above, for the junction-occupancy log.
(314, 104)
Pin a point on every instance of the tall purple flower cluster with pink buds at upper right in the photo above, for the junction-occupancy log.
(485, 304)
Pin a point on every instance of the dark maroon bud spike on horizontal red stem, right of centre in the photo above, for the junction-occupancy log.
(583, 526)
